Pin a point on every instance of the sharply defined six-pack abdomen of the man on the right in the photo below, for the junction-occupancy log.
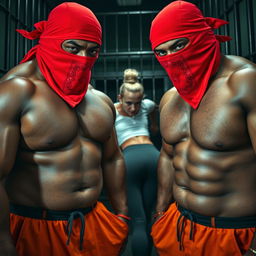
(216, 183)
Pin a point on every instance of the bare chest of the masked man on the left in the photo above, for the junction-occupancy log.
(49, 123)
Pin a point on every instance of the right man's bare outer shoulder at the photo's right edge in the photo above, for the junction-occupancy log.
(242, 81)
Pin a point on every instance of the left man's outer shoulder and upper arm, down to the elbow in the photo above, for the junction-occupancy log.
(13, 95)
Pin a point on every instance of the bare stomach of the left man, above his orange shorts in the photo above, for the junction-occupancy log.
(62, 180)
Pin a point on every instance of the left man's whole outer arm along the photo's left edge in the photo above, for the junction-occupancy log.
(12, 95)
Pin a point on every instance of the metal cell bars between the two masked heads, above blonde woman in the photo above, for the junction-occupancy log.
(126, 45)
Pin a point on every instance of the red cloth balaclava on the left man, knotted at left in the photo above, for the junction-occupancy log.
(67, 74)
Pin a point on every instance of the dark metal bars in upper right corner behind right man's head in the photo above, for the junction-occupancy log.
(241, 15)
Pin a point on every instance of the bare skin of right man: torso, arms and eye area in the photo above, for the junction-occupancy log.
(208, 161)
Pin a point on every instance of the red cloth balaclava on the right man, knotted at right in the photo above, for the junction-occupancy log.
(190, 68)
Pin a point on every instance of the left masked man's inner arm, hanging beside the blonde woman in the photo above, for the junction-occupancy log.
(114, 175)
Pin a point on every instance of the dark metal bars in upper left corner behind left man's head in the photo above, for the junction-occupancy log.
(17, 14)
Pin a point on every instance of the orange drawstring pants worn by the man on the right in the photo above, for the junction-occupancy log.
(205, 240)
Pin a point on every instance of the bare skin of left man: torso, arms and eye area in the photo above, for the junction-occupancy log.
(54, 156)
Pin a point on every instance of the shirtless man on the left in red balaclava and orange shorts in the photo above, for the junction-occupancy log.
(58, 146)
